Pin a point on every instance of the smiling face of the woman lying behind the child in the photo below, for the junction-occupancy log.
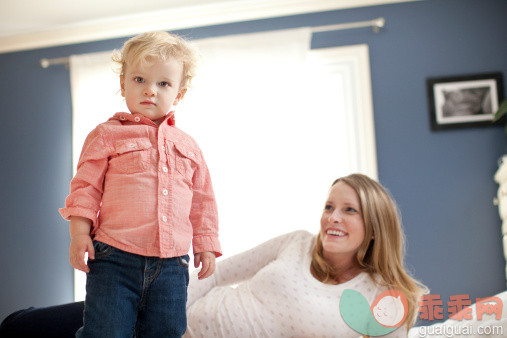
(341, 225)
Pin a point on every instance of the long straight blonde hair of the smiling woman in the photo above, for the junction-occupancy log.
(383, 249)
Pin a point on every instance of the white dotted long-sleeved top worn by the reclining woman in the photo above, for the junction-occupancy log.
(269, 291)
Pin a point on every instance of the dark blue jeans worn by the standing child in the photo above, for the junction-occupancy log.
(130, 295)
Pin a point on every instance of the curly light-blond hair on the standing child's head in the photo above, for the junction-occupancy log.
(144, 48)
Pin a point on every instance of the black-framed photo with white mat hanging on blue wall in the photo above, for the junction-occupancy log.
(464, 101)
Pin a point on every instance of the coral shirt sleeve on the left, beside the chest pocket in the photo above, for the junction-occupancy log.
(86, 187)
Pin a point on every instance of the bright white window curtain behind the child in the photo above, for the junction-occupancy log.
(277, 123)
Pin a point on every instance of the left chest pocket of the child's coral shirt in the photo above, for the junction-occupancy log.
(132, 156)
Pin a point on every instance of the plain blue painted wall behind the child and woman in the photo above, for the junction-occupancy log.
(442, 180)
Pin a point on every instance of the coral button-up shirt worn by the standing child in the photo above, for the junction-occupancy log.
(146, 189)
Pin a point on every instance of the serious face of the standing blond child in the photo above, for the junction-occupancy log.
(152, 89)
